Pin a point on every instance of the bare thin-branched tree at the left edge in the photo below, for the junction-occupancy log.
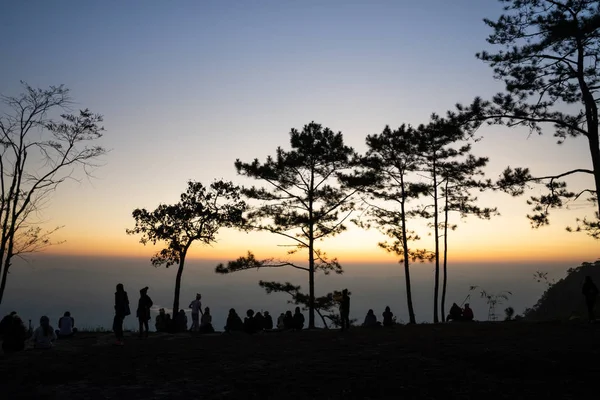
(37, 154)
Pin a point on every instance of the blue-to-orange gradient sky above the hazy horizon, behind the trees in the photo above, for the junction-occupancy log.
(186, 87)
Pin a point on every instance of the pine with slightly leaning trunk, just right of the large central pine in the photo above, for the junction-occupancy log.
(393, 157)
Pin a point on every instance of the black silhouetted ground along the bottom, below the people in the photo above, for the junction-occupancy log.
(502, 360)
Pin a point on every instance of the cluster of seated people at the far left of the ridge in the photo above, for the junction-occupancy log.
(14, 334)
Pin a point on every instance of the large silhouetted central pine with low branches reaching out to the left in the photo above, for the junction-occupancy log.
(301, 201)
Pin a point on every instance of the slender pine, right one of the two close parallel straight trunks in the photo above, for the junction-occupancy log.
(460, 178)
